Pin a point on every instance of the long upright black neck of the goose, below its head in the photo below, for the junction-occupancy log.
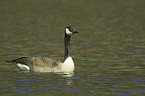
(67, 45)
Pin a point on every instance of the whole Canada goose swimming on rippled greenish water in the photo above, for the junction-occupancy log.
(44, 64)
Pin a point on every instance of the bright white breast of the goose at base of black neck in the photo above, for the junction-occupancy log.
(68, 65)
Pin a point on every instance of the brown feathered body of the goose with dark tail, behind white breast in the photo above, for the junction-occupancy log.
(39, 64)
